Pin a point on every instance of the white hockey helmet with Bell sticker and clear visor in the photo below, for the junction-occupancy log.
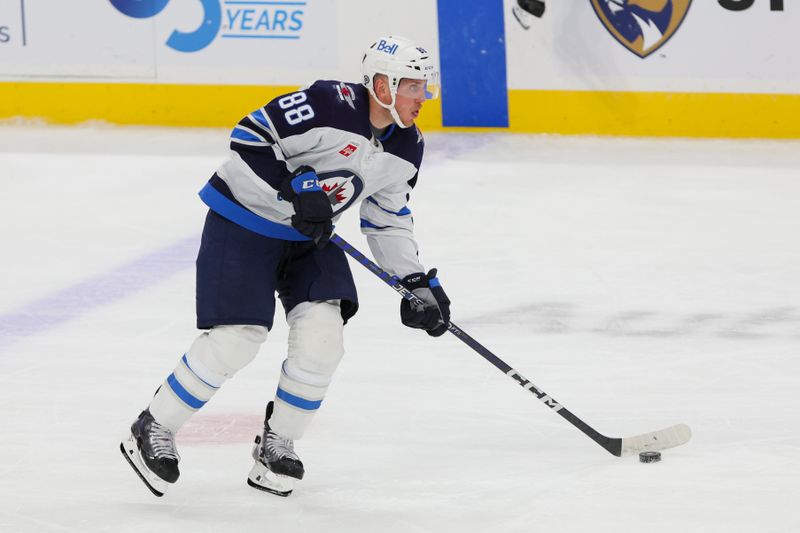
(398, 58)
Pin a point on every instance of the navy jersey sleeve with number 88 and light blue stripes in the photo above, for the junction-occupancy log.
(283, 128)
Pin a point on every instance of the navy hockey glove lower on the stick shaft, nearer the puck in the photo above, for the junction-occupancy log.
(434, 315)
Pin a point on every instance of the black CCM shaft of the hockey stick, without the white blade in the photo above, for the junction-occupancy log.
(612, 445)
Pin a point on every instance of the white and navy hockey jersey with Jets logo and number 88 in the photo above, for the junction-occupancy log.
(325, 126)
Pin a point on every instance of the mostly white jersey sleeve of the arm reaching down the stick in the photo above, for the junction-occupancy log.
(388, 224)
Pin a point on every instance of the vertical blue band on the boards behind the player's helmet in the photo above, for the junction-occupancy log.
(472, 53)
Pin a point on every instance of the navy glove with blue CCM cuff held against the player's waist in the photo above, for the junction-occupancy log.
(312, 208)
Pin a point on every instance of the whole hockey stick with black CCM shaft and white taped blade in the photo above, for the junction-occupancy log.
(656, 440)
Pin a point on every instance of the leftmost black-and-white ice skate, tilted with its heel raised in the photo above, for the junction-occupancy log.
(150, 450)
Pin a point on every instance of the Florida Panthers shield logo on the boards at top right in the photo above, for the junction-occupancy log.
(641, 26)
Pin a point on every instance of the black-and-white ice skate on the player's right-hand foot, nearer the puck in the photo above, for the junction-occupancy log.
(276, 465)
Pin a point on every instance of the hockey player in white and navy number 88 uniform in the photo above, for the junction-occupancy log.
(295, 165)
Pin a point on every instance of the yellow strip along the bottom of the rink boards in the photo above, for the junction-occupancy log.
(565, 112)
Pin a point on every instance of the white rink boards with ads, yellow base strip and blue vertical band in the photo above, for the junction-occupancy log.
(207, 63)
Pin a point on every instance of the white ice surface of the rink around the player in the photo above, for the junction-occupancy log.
(641, 283)
